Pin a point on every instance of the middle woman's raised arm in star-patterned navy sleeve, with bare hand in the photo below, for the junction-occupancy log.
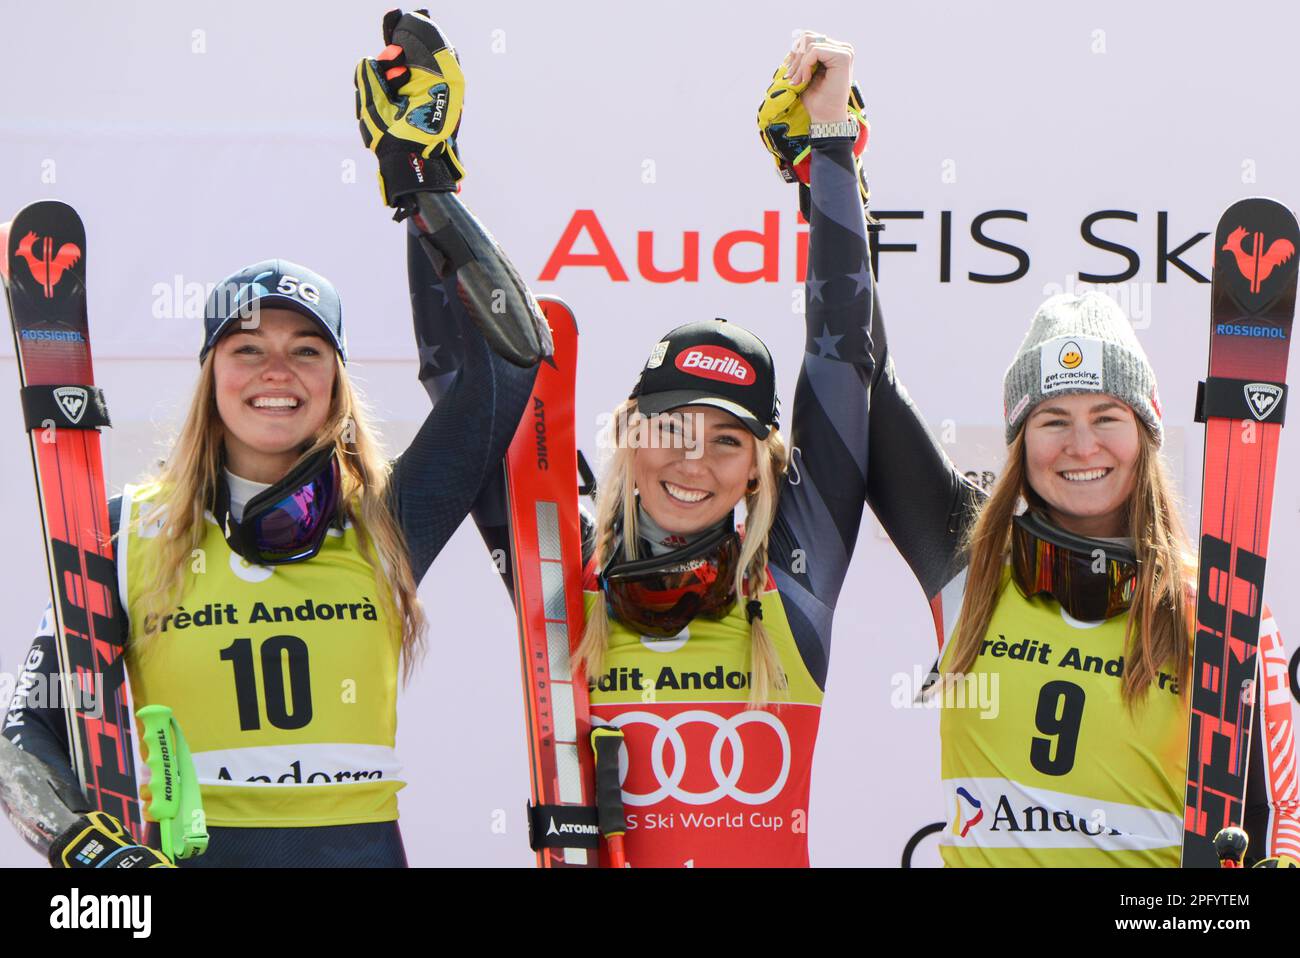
(821, 508)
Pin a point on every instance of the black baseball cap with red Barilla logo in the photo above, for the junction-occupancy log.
(712, 363)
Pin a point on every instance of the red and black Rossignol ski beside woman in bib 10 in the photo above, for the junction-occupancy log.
(45, 278)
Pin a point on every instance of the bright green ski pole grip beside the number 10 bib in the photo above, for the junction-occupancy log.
(172, 795)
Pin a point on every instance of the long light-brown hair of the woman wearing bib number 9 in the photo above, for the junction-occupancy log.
(1158, 627)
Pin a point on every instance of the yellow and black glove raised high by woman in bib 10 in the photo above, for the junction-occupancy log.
(409, 105)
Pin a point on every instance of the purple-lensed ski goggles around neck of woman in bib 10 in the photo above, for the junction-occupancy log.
(288, 522)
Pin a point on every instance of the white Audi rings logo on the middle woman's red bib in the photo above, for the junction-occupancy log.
(727, 731)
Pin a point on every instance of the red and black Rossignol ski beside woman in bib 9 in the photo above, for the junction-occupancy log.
(1242, 404)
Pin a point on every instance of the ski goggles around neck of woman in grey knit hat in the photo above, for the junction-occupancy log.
(1091, 579)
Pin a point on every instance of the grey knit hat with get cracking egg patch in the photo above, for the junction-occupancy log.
(1081, 345)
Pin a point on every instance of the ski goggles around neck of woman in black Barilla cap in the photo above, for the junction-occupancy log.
(662, 595)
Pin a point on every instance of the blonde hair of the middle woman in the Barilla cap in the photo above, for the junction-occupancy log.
(617, 502)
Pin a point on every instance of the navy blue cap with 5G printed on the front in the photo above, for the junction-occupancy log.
(274, 283)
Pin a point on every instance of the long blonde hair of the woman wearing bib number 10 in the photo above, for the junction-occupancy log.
(188, 487)
